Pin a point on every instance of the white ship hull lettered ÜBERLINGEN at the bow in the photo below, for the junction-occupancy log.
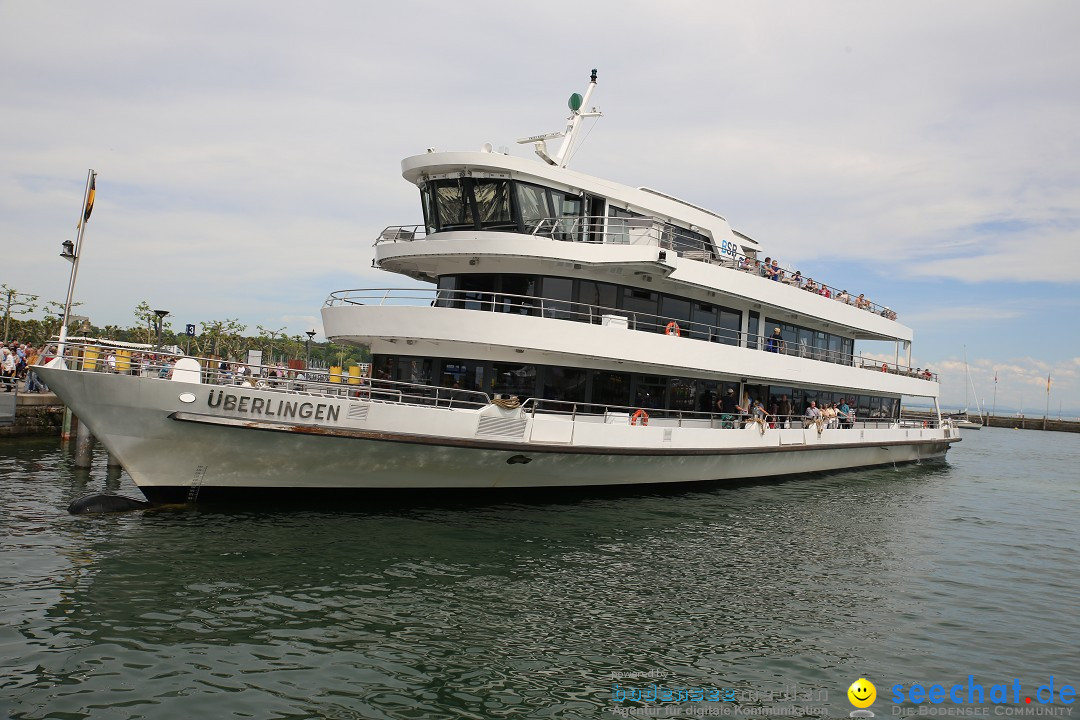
(198, 443)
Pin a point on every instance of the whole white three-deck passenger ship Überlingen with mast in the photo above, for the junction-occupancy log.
(577, 333)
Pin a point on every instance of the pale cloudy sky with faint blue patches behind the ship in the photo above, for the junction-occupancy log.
(249, 154)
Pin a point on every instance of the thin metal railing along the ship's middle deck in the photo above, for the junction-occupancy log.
(557, 309)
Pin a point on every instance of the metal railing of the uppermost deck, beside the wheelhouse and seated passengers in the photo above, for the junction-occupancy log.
(655, 233)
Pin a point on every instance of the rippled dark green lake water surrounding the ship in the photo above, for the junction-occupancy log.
(526, 607)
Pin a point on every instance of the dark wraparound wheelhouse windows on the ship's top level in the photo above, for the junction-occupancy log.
(468, 203)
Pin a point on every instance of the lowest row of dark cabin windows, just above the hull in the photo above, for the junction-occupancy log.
(598, 389)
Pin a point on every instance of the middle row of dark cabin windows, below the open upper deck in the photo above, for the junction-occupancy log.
(588, 302)
